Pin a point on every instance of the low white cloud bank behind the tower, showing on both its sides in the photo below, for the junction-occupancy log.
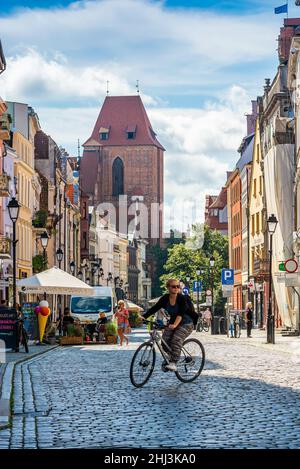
(201, 146)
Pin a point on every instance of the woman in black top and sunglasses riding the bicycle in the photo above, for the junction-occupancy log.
(181, 323)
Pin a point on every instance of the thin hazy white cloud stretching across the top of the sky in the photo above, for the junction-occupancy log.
(163, 48)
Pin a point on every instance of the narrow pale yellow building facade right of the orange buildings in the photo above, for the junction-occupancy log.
(257, 237)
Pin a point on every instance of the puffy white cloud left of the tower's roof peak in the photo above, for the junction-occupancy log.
(55, 80)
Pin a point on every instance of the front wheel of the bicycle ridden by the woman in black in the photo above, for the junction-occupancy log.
(142, 364)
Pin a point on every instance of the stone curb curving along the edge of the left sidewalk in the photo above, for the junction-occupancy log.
(7, 387)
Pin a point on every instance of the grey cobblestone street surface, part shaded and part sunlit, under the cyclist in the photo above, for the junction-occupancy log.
(82, 397)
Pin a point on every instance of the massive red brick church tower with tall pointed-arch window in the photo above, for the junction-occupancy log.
(124, 158)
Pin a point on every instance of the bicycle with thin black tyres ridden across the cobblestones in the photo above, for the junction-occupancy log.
(189, 366)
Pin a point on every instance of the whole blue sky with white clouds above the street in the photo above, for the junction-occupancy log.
(199, 64)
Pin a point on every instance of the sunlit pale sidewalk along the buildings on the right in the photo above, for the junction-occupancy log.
(259, 339)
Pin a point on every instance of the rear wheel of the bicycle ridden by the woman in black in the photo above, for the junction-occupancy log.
(191, 361)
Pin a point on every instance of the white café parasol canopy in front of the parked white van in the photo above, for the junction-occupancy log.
(54, 281)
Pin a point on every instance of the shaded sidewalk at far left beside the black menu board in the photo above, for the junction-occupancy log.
(6, 376)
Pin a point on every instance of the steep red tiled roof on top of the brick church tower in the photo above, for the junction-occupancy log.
(119, 113)
